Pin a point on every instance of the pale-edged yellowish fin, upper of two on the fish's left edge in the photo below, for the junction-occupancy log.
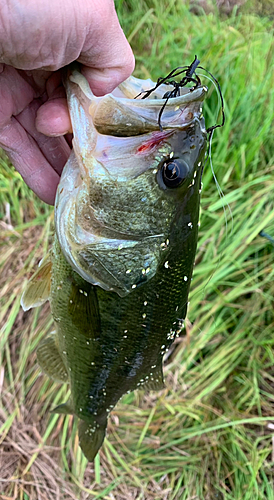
(38, 288)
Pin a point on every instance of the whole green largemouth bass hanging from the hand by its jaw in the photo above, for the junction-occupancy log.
(126, 227)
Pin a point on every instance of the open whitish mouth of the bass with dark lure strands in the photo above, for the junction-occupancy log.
(124, 113)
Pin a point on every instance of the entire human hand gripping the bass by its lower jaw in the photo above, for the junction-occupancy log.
(37, 38)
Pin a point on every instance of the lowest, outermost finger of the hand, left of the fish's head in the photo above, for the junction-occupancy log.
(29, 161)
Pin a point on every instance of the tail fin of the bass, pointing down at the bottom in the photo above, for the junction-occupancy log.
(91, 437)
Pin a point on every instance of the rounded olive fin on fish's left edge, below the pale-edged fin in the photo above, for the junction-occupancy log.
(50, 360)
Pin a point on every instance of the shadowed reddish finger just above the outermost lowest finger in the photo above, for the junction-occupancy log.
(55, 149)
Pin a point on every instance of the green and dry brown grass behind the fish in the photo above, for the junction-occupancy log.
(209, 434)
